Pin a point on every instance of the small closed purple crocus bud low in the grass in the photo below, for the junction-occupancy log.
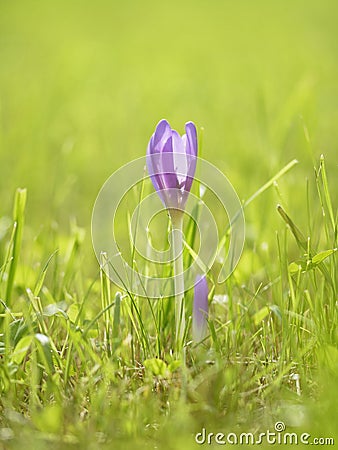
(200, 309)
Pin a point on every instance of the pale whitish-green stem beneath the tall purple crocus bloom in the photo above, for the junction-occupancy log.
(177, 245)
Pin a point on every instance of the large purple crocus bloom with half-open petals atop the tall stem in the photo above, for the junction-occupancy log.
(171, 162)
